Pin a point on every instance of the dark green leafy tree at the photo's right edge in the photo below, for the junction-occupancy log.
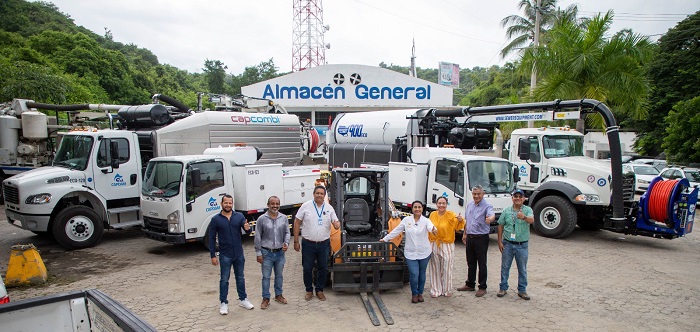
(675, 72)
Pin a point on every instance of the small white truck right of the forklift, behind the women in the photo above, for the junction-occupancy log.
(435, 172)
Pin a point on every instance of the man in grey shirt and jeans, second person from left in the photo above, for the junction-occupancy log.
(271, 243)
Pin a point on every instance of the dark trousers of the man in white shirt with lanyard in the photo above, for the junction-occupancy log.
(313, 253)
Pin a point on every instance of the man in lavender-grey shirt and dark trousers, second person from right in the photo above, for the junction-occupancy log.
(476, 237)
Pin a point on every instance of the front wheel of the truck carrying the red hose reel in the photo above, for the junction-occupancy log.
(555, 217)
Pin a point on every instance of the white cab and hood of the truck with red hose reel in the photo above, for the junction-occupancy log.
(565, 188)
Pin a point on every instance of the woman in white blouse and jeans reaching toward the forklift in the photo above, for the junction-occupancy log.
(417, 250)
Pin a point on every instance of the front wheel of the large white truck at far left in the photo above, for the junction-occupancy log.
(77, 227)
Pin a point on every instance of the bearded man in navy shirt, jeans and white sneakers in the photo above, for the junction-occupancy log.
(228, 225)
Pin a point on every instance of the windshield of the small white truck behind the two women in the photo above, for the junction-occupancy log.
(495, 176)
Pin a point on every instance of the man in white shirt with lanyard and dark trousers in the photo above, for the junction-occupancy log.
(316, 217)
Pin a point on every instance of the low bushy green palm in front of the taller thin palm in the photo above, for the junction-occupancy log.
(583, 61)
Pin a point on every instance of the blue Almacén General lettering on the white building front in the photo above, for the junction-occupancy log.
(362, 91)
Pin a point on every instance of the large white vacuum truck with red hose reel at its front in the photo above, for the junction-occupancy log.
(564, 187)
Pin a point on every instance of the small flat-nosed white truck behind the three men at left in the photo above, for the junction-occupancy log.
(181, 194)
